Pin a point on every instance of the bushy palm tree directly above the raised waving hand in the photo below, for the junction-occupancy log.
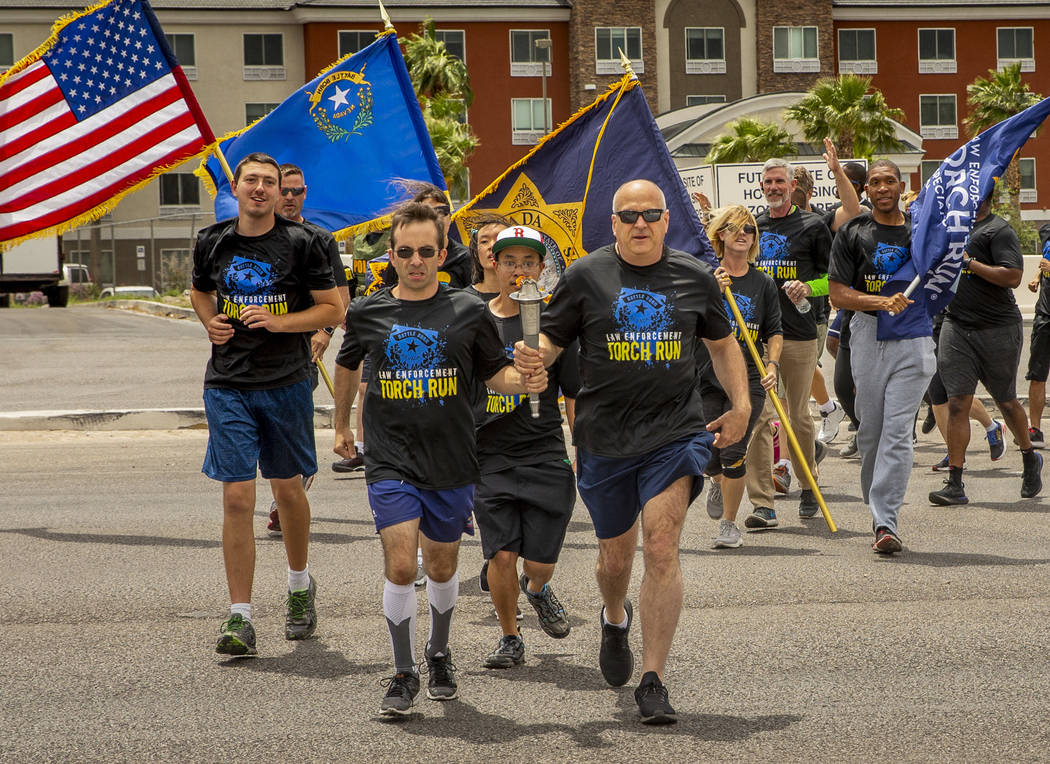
(843, 109)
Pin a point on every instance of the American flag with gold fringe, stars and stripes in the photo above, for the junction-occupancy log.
(91, 117)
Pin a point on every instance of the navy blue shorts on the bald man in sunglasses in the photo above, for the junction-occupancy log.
(617, 490)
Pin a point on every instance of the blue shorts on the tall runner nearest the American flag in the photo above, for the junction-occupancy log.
(271, 429)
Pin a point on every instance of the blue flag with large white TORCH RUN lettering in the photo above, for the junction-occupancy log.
(943, 216)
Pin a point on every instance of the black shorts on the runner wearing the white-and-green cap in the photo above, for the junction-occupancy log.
(527, 511)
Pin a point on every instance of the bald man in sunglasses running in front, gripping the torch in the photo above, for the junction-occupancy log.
(638, 309)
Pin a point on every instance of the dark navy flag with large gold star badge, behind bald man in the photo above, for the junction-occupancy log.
(564, 186)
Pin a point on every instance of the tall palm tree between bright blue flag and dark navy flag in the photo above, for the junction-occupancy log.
(444, 89)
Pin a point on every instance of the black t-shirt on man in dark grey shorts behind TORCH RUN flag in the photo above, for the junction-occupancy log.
(980, 304)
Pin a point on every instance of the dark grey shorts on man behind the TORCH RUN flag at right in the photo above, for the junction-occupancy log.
(990, 356)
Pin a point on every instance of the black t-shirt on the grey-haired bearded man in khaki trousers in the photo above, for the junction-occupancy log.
(796, 247)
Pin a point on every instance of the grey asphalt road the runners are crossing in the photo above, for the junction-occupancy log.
(800, 646)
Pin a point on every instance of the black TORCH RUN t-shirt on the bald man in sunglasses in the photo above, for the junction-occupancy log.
(637, 327)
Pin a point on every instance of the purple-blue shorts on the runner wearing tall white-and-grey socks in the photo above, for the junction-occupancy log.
(444, 516)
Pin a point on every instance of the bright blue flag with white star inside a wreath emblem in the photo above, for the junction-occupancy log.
(359, 135)
